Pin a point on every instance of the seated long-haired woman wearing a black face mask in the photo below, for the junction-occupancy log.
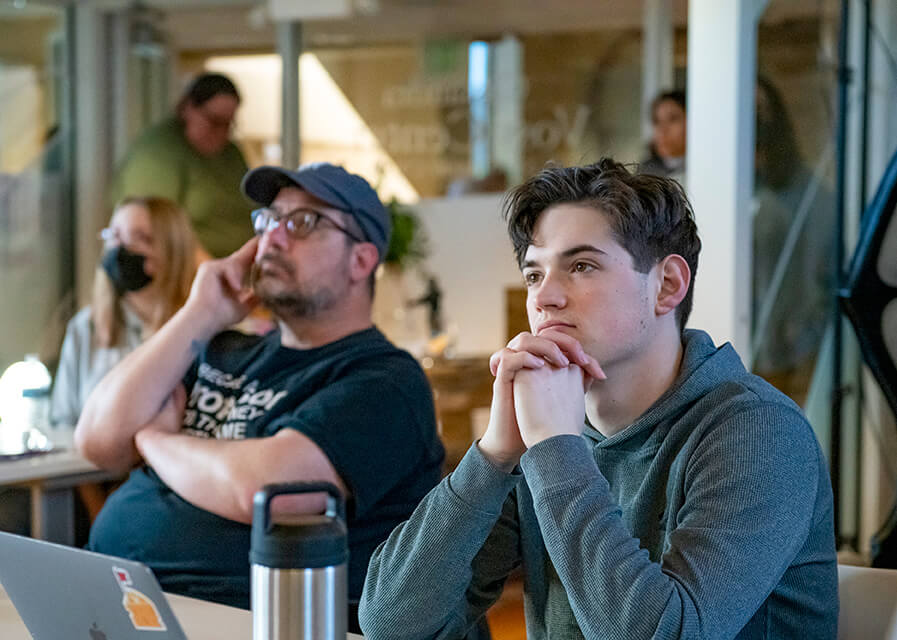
(143, 277)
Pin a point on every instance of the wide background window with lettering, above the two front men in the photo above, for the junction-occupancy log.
(451, 116)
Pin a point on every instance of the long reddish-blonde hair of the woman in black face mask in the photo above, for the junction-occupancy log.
(177, 250)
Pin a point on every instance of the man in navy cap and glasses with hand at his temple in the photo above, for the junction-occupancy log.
(209, 416)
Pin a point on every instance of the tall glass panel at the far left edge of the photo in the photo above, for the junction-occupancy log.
(36, 258)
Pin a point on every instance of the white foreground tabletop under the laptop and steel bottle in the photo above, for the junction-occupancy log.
(200, 620)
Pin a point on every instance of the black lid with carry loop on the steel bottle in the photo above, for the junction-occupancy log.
(298, 542)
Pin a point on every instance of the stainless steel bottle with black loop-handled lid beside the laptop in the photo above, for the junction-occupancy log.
(299, 584)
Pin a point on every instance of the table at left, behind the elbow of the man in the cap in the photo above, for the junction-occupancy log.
(51, 478)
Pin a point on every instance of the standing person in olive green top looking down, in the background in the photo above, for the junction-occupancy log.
(190, 158)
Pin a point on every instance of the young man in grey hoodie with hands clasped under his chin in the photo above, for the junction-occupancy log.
(680, 496)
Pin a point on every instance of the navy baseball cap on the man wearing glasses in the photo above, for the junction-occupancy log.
(334, 185)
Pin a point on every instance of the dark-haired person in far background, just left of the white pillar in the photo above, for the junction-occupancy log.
(666, 152)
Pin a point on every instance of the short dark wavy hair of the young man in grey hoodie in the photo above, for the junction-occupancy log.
(650, 216)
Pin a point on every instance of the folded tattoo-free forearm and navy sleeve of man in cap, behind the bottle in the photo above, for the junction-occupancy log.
(328, 437)
